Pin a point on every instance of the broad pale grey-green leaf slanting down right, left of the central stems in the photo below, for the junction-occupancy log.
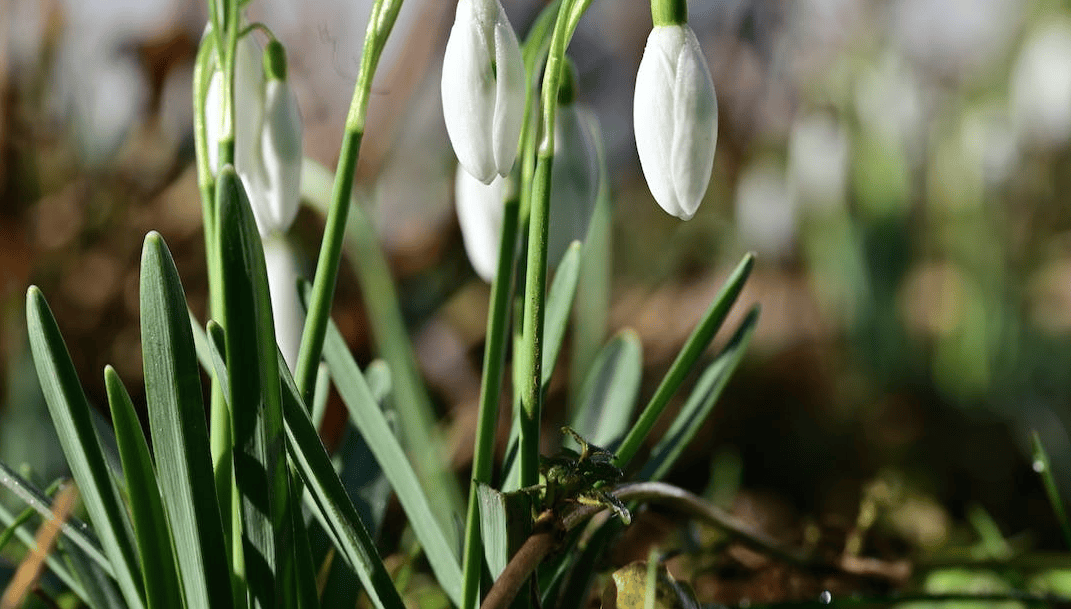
(366, 415)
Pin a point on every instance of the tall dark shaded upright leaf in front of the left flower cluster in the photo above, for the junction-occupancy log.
(257, 412)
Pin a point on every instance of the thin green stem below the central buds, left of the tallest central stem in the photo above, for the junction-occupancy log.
(494, 357)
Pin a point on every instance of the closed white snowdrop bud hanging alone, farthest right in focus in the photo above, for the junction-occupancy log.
(676, 119)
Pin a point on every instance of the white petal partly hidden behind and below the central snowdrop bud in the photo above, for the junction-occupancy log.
(480, 217)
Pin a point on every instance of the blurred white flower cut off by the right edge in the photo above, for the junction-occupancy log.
(1042, 86)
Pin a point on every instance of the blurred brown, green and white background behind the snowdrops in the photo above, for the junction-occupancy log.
(901, 168)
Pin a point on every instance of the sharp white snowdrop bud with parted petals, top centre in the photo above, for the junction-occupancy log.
(484, 89)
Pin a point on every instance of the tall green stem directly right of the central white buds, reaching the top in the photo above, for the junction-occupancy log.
(539, 221)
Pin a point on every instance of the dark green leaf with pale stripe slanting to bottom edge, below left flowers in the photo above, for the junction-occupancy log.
(338, 513)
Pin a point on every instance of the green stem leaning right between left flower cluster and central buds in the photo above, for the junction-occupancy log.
(384, 16)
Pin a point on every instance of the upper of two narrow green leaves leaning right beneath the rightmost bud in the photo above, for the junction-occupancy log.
(697, 344)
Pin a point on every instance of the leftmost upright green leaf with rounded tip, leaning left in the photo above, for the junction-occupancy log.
(74, 425)
